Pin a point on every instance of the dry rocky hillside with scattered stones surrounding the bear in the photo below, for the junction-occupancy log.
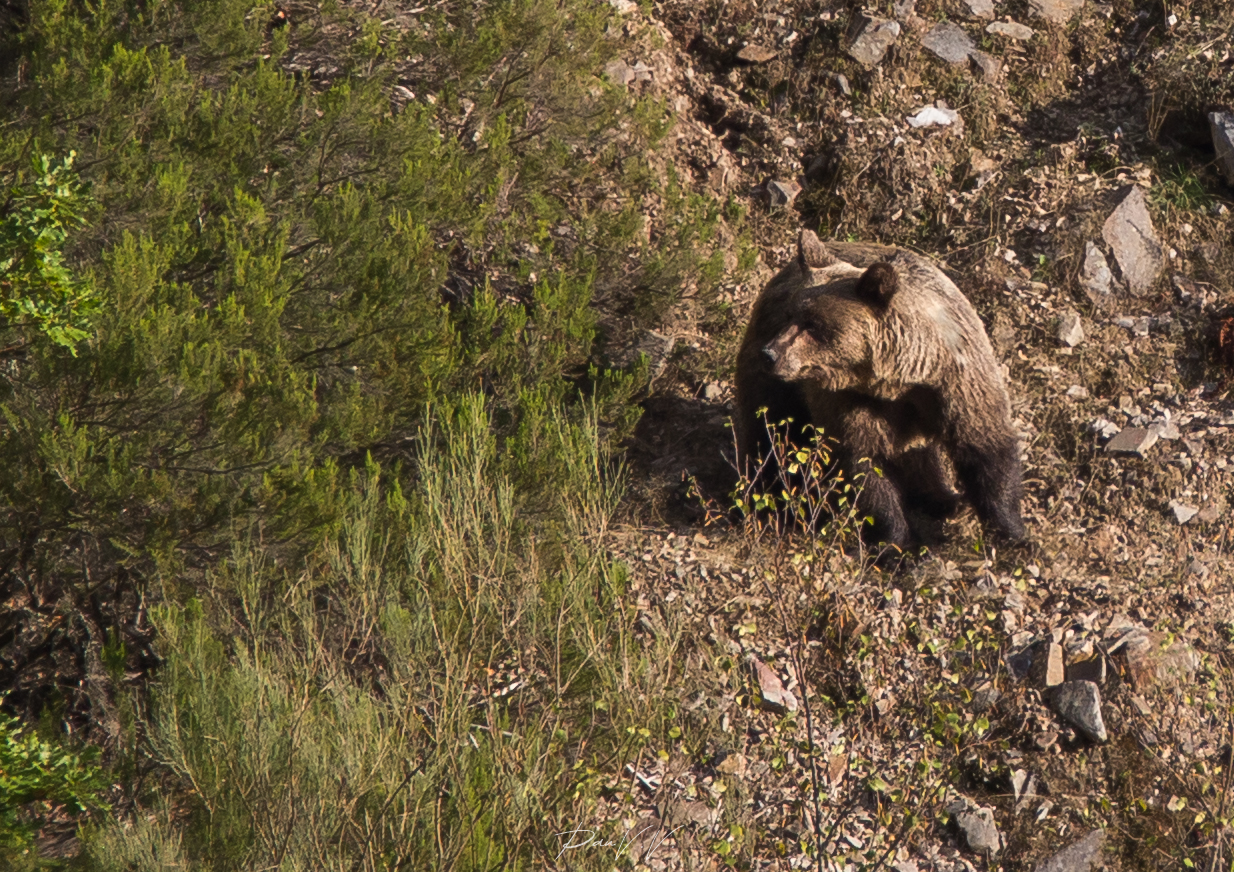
(975, 709)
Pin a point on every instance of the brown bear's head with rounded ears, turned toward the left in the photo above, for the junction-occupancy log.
(832, 327)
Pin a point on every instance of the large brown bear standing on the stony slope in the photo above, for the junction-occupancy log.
(878, 348)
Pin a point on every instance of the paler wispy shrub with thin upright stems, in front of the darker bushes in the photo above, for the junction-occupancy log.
(404, 699)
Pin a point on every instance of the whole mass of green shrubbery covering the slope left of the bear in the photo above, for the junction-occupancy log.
(341, 421)
